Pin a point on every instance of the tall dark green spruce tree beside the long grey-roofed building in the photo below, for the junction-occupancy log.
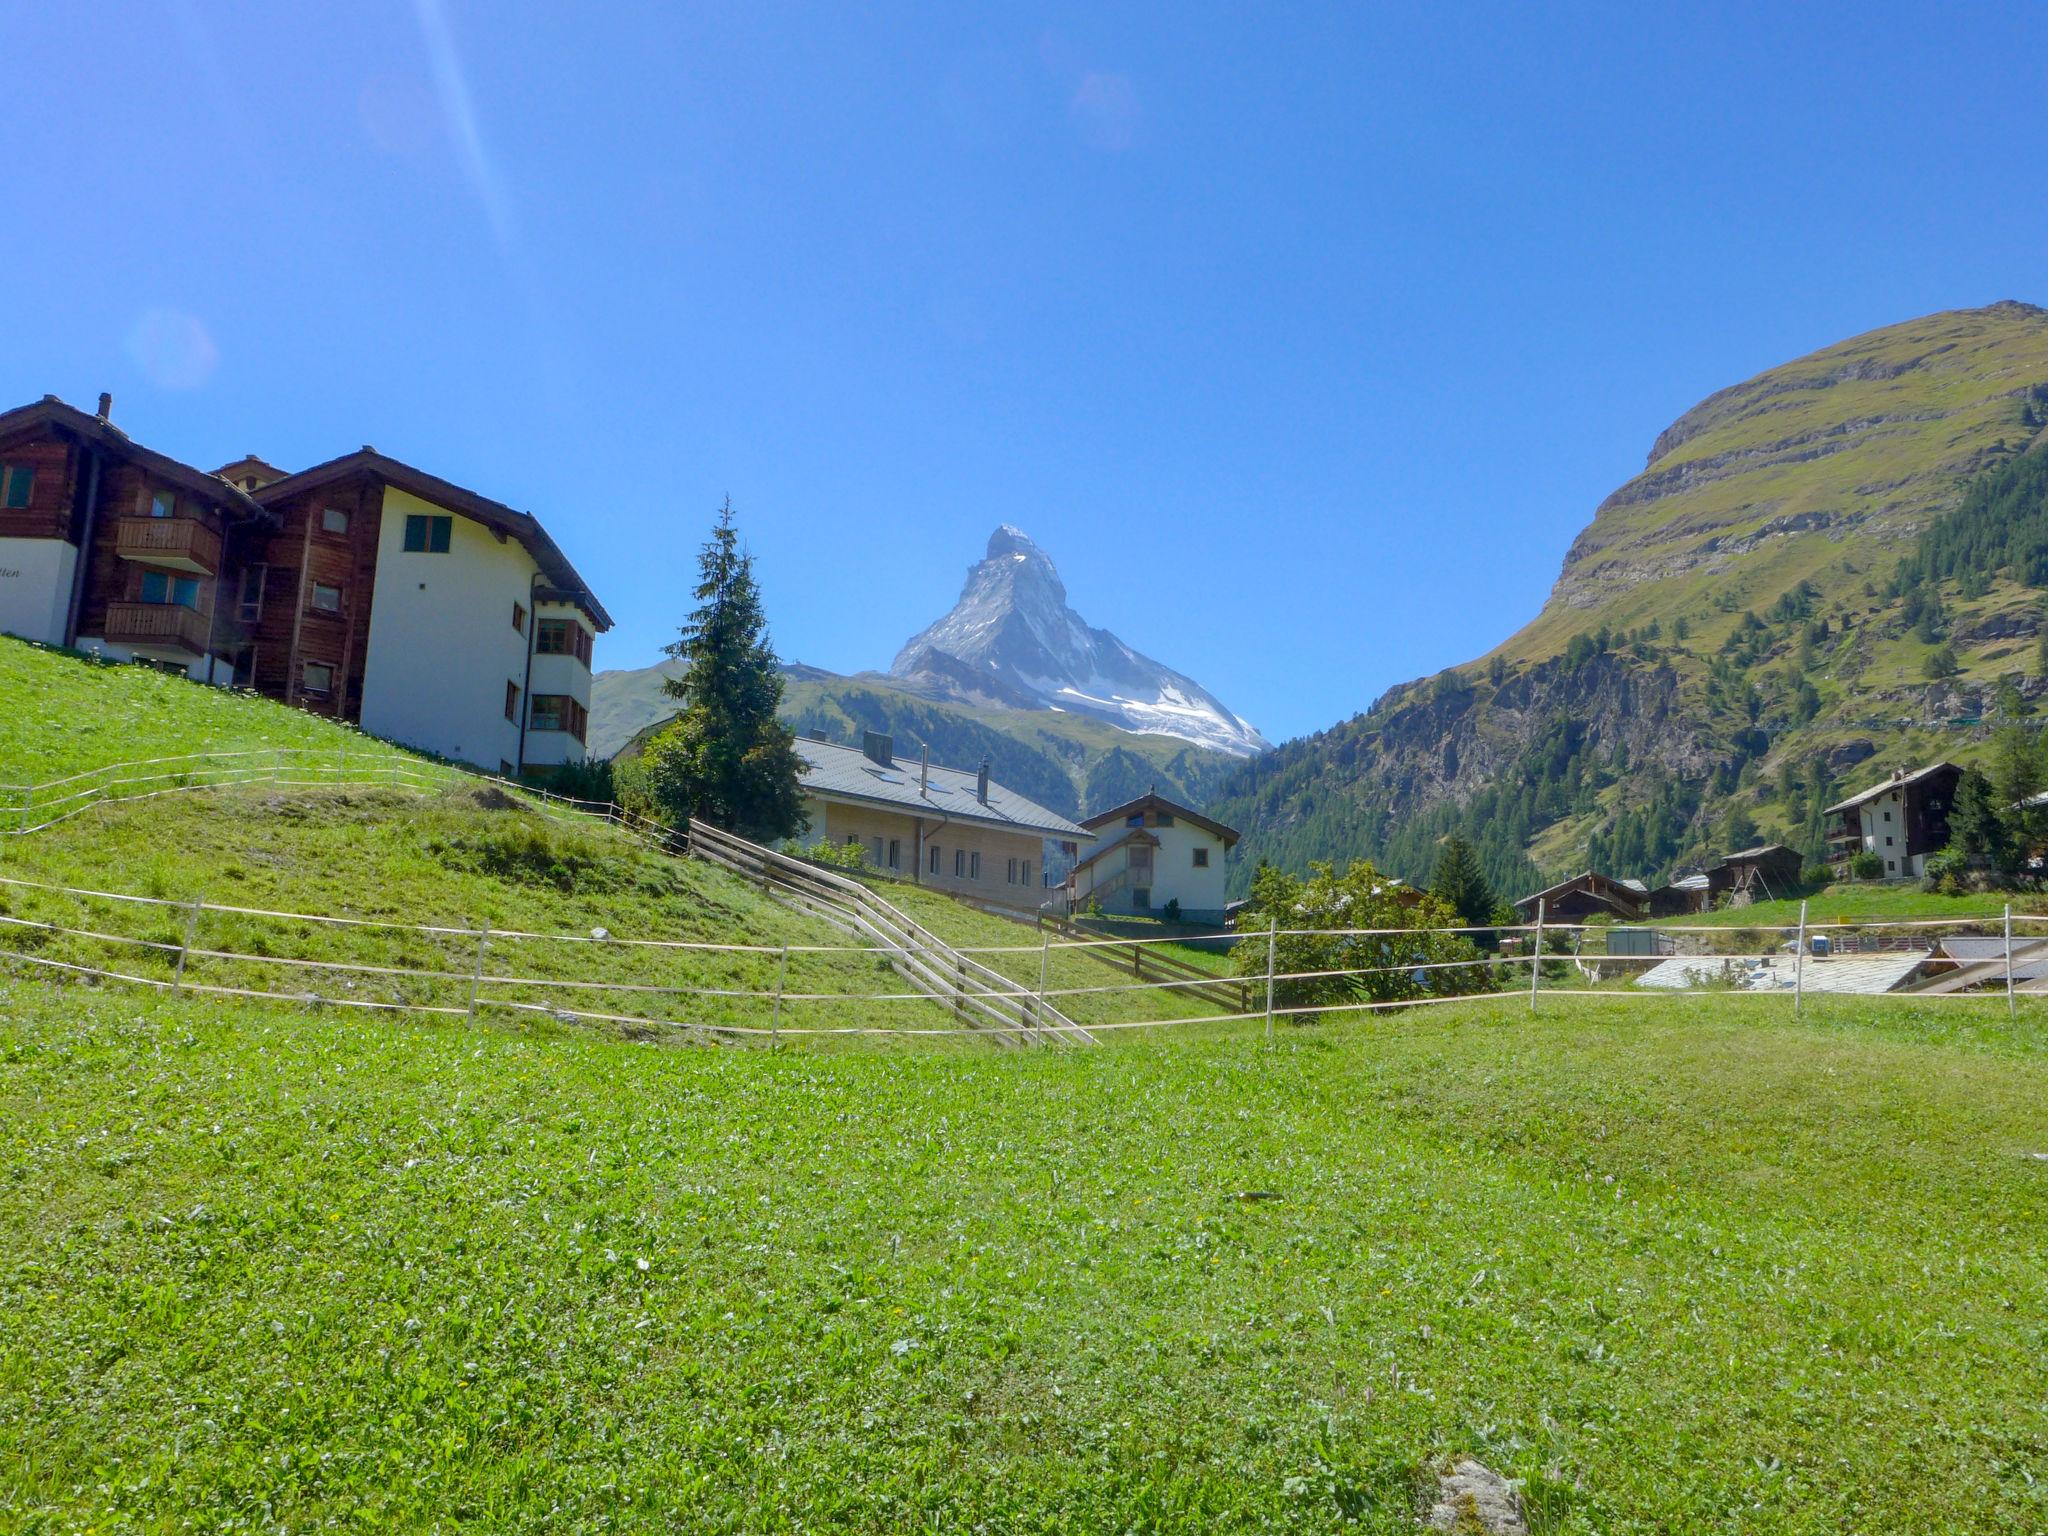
(728, 759)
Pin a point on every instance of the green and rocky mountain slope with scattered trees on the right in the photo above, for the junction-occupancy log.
(1732, 638)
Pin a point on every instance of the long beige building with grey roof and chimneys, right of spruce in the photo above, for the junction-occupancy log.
(947, 828)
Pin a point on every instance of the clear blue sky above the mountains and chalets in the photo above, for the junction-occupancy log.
(1304, 339)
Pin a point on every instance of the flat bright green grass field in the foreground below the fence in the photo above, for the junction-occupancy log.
(1680, 1267)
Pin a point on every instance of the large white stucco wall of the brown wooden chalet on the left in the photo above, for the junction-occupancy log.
(441, 640)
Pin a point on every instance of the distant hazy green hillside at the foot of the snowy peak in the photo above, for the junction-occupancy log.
(1066, 763)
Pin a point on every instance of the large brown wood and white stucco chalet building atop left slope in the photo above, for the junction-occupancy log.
(361, 589)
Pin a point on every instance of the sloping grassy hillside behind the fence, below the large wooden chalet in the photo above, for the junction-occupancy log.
(464, 859)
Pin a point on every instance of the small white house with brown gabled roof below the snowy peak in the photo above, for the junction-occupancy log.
(1154, 851)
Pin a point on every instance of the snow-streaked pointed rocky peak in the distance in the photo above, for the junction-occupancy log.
(1015, 640)
